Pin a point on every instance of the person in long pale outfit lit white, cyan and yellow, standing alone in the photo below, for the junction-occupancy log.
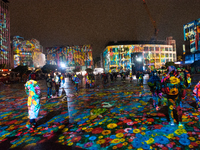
(34, 94)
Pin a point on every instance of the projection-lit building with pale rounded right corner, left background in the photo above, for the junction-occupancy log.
(27, 52)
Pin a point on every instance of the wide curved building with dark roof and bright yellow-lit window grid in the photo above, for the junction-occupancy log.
(138, 55)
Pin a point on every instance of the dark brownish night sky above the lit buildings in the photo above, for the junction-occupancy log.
(96, 22)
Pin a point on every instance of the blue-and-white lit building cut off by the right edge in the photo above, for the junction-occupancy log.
(191, 33)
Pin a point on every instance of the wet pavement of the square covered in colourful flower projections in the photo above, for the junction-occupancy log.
(110, 117)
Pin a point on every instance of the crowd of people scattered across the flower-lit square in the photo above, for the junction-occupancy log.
(172, 86)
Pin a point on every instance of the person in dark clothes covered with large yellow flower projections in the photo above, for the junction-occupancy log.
(174, 88)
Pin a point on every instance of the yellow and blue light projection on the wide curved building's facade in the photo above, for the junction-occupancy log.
(154, 56)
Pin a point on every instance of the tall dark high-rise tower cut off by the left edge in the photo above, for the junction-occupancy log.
(5, 49)
